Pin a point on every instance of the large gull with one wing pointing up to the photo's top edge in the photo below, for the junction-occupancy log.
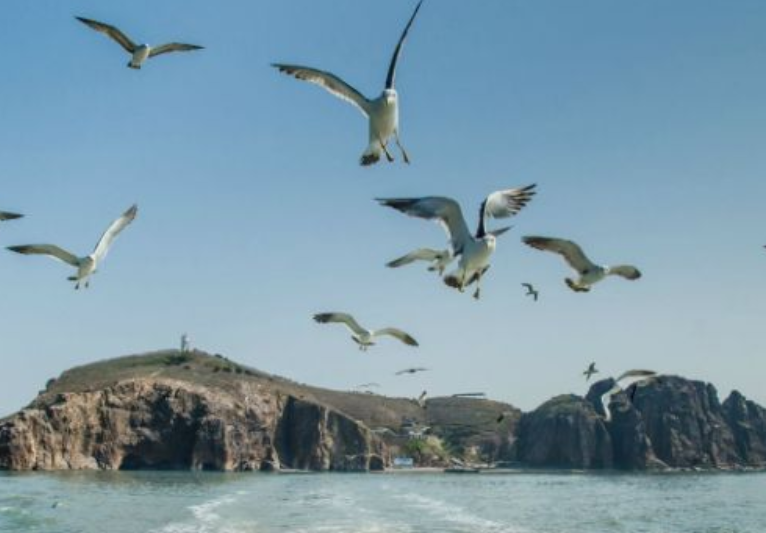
(382, 112)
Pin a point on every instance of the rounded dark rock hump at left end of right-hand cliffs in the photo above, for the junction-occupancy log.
(564, 432)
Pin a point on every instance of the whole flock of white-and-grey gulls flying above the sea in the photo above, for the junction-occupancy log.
(471, 250)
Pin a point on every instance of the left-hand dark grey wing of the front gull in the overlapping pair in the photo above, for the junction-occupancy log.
(446, 210)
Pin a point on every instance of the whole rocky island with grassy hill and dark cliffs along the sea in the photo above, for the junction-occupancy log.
(174, 410)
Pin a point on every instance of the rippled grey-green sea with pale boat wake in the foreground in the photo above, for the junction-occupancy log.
(182, 502)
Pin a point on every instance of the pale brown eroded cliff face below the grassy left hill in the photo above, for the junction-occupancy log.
(147, 424)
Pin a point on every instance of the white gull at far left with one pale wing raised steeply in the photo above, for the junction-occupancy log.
(88, 265)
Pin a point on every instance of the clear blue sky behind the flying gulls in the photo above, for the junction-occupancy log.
(643, 124)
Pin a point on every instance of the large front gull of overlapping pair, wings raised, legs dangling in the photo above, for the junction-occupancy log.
(474, 250)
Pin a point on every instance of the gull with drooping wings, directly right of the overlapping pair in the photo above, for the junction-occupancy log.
(573, 254)
